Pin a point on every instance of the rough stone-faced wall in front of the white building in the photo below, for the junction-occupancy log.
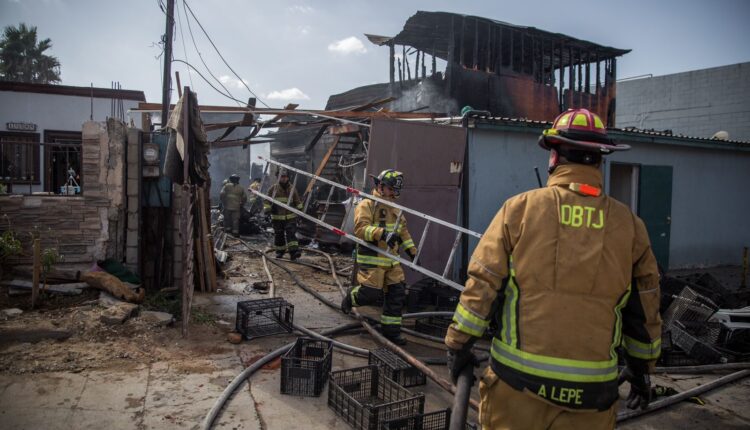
(84, 228)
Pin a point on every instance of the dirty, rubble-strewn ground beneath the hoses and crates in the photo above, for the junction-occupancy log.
(169, 371)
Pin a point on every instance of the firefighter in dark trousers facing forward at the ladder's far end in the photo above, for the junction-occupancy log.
(283, 221)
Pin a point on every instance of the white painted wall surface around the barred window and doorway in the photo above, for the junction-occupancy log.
(56, 112)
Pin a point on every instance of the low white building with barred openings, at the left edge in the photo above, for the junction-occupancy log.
(40, 130)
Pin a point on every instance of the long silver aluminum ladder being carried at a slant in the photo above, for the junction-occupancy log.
(443, 278)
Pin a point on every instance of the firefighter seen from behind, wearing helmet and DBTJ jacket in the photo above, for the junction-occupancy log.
(569, 277)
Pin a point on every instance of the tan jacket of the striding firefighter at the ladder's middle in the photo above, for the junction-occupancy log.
(372, 223)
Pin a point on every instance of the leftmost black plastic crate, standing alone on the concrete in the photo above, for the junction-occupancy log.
(264, 317)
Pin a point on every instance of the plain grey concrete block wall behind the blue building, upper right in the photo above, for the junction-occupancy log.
(697, 103)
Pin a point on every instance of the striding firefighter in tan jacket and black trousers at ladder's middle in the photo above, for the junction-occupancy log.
(380, 278)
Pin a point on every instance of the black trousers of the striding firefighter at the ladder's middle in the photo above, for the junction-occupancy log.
(393, 298)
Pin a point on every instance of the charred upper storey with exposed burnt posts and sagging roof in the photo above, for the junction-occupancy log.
(508, 70)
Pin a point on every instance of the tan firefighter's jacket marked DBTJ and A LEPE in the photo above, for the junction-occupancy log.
(568, 275)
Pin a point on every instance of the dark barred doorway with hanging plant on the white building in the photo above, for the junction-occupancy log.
(63, 161)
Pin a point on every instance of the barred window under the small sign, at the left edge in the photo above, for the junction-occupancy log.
(20, 158)
